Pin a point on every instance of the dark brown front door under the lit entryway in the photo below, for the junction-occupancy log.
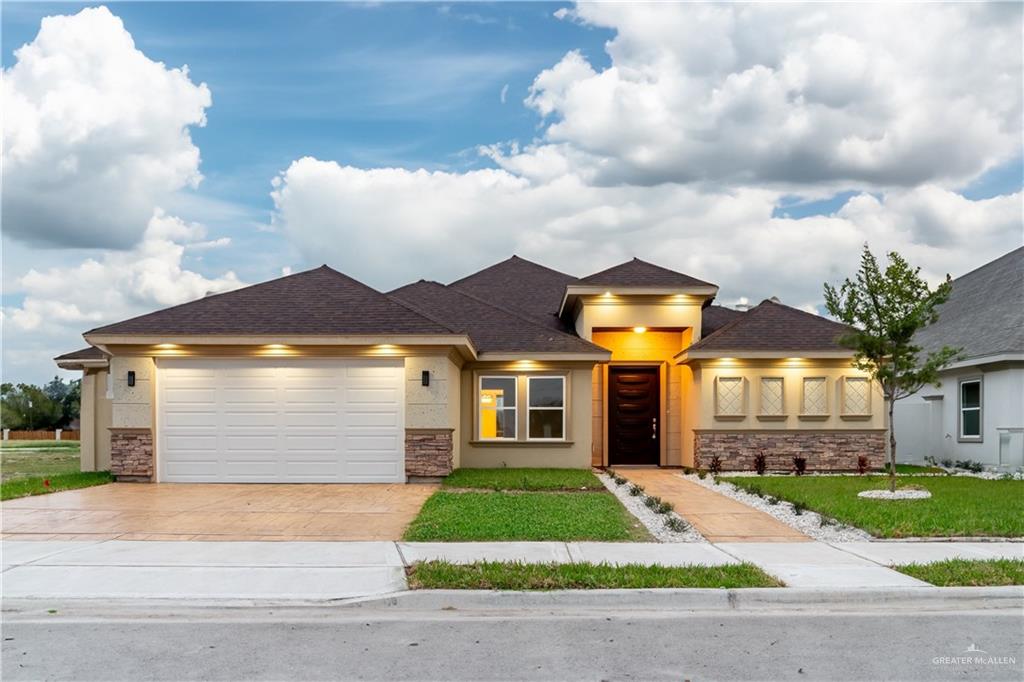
(634, 406)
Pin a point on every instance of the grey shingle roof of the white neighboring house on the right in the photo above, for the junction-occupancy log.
(985, 315)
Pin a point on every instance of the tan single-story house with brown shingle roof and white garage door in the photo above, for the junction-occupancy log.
(317, 377)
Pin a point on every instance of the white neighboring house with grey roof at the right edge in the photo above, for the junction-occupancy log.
(977, 412)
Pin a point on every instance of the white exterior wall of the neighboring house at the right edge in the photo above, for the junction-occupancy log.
(1003, 407)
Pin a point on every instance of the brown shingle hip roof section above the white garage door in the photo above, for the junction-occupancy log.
(315, 303)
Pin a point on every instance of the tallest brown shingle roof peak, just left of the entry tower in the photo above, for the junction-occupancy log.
(522, 286)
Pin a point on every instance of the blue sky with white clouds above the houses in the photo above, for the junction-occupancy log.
(155, 152)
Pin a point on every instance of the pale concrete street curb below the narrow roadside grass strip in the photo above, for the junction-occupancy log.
(693, 600)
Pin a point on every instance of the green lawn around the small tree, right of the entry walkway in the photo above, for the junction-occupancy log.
(959, 506)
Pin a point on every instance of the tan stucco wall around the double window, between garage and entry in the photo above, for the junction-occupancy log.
(573, 455)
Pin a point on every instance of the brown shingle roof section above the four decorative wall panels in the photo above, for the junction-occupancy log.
(774, 327)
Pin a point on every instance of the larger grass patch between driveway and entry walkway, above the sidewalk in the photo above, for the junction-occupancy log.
(449, 517)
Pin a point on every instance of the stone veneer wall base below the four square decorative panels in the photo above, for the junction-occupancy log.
(826, 451)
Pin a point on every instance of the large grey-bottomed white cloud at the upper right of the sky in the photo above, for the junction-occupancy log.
(787, 96)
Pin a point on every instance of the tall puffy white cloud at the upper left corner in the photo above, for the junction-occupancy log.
(96, 135)
